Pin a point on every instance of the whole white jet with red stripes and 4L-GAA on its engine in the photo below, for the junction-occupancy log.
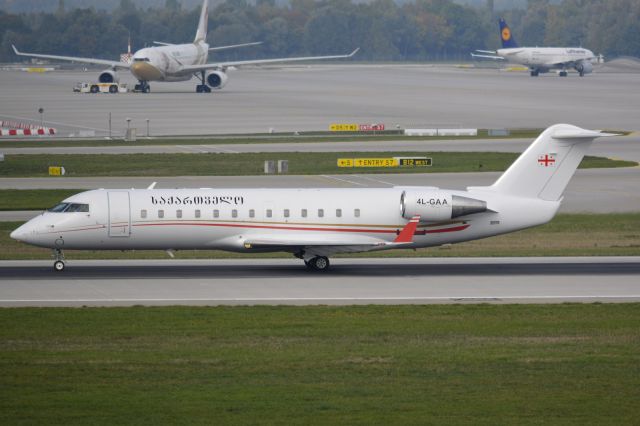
(314, 224)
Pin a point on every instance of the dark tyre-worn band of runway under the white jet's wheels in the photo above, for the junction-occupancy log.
(345, 270)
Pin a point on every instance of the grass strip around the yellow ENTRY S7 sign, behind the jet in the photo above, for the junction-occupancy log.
(210, 164)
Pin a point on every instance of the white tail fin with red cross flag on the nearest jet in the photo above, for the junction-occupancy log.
(545, 168)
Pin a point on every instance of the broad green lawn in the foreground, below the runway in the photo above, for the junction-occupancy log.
(370, 365)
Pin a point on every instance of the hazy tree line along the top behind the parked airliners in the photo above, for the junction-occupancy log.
(416, 30)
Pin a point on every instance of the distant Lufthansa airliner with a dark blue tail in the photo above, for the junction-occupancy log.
(540, 59)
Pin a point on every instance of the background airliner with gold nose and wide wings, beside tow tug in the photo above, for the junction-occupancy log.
(177, 62)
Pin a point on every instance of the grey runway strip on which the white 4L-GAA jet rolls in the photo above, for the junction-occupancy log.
(350, 281)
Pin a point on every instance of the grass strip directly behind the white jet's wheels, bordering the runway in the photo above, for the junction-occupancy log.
(566, 235)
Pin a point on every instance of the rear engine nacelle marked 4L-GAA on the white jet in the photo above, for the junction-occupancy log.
(434, 206)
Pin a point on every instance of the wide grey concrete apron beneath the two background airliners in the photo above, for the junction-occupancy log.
(311, 97)
